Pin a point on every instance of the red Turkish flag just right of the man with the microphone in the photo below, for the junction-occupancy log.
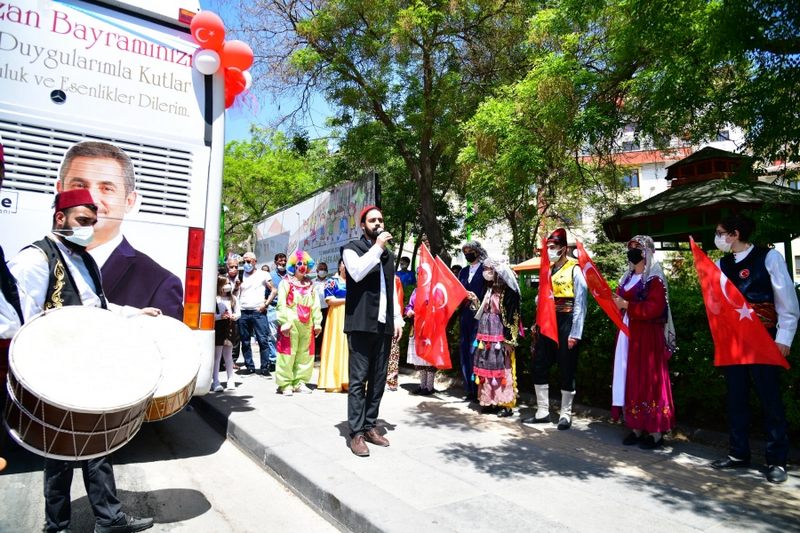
(440, 296)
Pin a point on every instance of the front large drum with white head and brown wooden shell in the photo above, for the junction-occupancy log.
(79, 383)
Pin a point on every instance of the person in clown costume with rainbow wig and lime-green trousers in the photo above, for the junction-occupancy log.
(300, 322)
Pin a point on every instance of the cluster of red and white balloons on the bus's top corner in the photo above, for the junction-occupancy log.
(215, 53)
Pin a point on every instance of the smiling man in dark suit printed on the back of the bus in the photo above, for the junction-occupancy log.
(130, 277)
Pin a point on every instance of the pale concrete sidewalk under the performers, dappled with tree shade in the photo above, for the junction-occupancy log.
(450, 468)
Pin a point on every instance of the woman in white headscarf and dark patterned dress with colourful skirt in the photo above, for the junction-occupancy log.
(498, 328)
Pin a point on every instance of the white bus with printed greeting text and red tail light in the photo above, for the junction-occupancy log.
(119, 73)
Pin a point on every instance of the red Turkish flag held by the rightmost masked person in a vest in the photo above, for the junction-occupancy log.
(739, 336)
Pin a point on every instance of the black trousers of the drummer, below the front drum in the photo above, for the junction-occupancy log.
(98, 478)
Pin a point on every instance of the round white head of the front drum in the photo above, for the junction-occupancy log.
(85, 359)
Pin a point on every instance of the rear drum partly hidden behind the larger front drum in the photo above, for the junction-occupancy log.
(180, 362)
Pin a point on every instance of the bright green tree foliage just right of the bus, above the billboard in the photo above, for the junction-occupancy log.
(264, 174)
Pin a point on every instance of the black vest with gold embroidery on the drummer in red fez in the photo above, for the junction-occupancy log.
(61, 288)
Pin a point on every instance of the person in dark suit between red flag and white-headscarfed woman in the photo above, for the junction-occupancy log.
(471, 277)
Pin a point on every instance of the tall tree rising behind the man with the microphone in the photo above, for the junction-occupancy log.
(414, 68)
